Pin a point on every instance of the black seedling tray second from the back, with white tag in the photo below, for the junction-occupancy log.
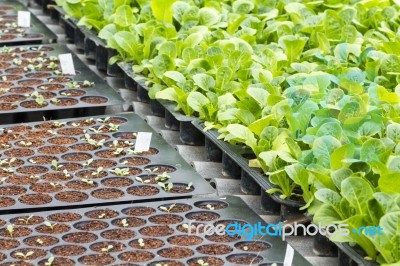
(21, 79)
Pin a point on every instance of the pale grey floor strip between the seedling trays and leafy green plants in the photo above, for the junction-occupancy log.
(195, 155)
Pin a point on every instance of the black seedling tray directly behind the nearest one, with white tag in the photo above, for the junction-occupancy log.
(32, 180)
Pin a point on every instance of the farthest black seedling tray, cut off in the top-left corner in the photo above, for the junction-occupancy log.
(38, 32)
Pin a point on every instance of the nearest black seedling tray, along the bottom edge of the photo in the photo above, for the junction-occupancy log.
(112, 235)
